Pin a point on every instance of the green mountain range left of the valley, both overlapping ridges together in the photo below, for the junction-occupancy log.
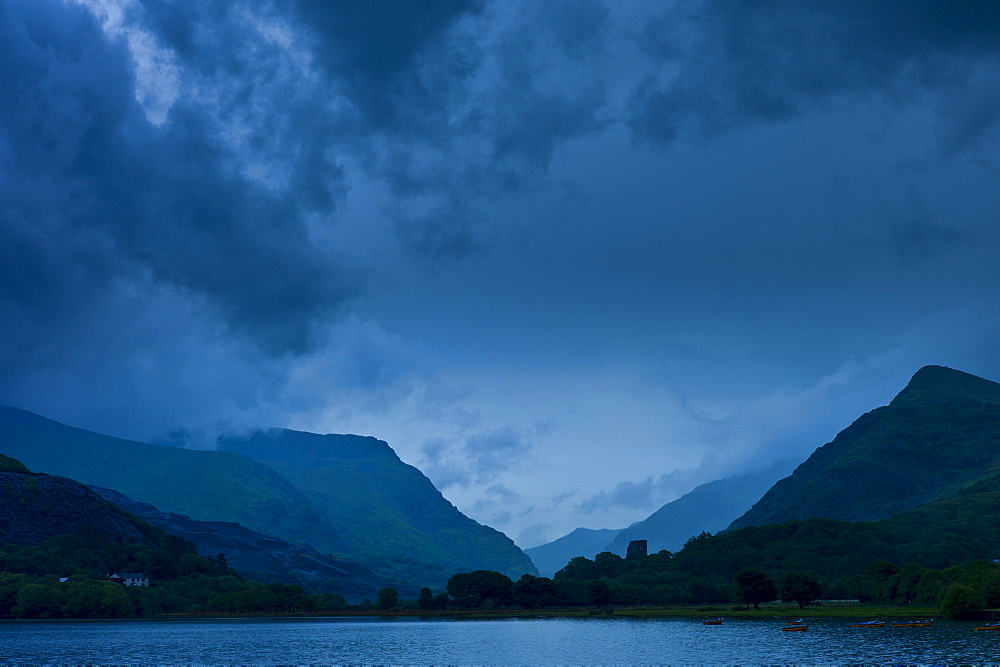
(354, 499)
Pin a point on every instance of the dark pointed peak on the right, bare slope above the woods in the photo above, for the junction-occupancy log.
(940, 433)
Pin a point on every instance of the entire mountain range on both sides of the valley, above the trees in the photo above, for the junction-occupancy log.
(919, 479)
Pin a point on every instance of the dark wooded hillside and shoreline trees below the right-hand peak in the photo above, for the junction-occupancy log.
(945, 562)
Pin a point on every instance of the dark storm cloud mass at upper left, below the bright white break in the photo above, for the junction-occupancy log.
(85, 163)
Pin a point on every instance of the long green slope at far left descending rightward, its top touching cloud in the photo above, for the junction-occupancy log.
(214, 486)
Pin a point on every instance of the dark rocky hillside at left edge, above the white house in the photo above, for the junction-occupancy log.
(35, 507)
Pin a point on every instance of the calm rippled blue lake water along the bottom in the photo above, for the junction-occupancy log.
(501, 641)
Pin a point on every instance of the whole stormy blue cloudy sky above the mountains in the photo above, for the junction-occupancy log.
(570, 259)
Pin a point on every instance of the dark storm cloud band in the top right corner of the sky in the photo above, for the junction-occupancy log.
(730, 64)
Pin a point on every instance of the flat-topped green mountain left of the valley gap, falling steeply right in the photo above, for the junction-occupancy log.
(391, 514)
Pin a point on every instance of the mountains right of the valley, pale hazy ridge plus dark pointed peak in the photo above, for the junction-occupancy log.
(933, 449)
